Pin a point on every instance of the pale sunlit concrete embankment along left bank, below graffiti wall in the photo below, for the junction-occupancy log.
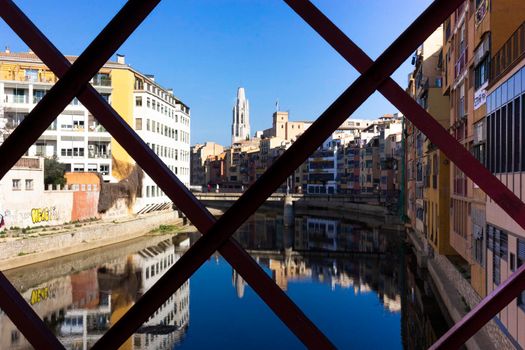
(28, 250)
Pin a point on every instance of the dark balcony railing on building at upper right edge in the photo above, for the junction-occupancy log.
(510, 53)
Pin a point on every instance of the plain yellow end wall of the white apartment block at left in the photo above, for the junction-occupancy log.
(122, 82)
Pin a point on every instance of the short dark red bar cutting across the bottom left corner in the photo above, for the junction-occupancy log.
(25, 318)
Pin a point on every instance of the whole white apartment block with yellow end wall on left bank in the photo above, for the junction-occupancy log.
(78, 140)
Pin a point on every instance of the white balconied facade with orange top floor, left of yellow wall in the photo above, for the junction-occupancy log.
(75, 137)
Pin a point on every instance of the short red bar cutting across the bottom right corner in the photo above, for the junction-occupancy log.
(483, 312)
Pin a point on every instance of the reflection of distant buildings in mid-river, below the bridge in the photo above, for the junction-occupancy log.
(283, 252)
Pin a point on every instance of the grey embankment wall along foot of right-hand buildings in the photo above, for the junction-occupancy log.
(456, 294)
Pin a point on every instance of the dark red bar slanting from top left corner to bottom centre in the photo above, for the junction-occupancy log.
(278, 301)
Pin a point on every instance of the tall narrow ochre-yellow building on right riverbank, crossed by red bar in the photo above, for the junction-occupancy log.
(431, 165)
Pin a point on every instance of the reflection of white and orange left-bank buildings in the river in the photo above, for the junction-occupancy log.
(81, 307)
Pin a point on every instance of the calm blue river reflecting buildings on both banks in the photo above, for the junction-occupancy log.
(358, 283)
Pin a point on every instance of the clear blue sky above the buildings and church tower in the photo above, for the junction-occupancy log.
(205, 49)
